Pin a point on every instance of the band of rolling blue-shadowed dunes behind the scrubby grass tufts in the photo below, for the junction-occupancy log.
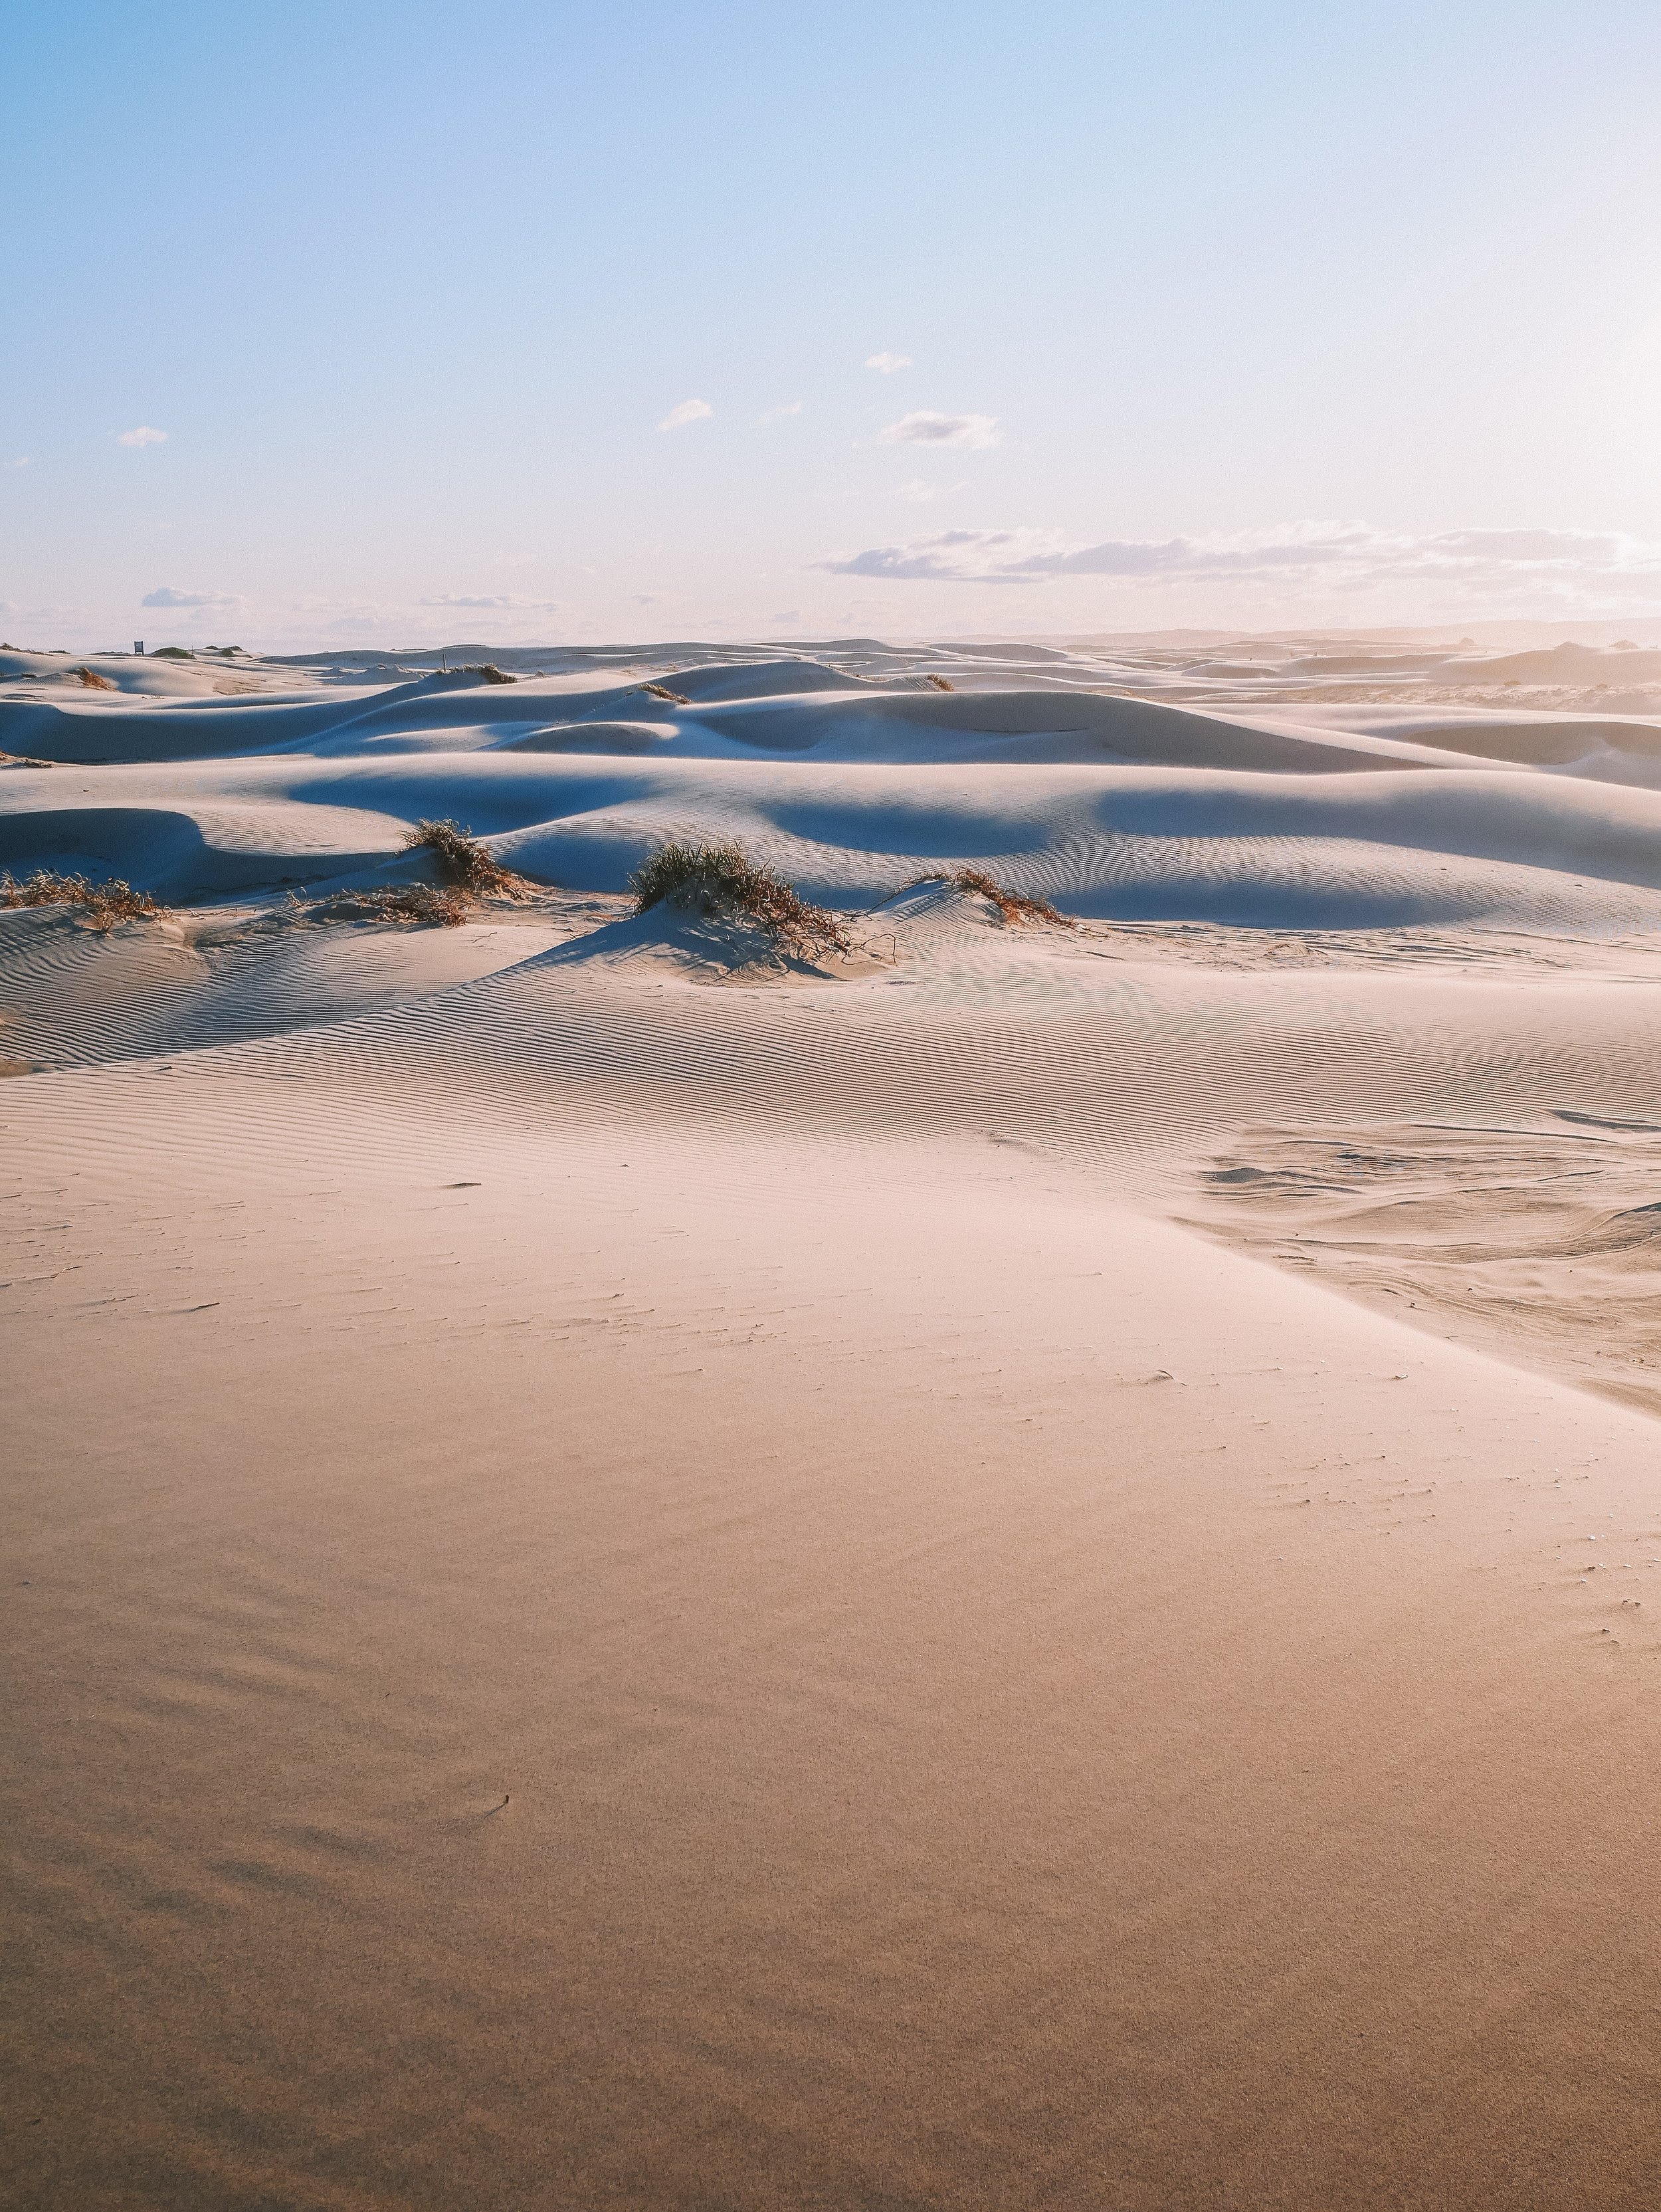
(1114, 806)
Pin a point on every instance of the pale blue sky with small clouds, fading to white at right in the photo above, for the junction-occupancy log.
(404, 324)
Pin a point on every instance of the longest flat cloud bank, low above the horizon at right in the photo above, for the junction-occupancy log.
(1337, 559)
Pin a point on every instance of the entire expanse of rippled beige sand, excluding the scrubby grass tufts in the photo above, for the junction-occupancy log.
(1001, 1574)
